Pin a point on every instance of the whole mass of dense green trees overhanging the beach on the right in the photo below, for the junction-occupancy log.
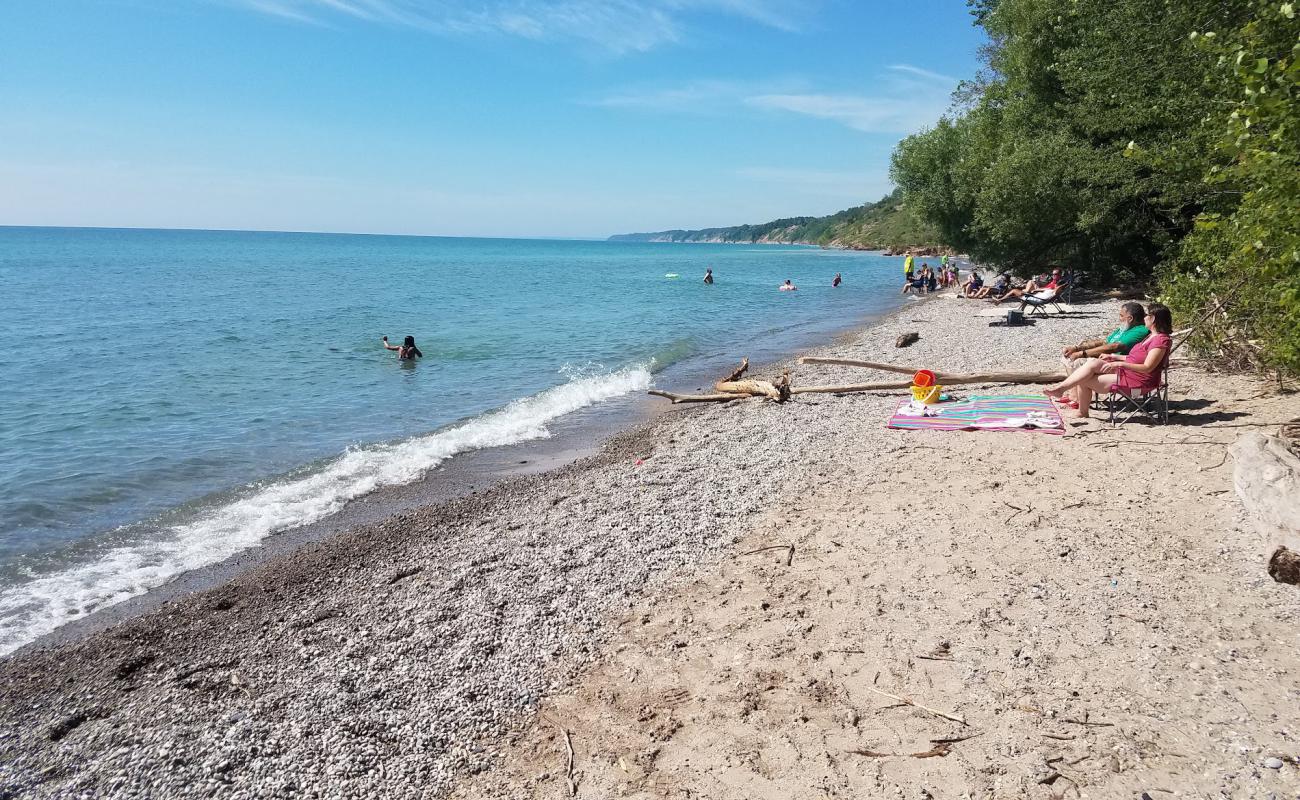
(1151, 141)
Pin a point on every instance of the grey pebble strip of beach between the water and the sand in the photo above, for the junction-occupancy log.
(402, 658)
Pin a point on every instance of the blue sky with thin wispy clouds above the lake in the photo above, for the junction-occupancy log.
(463, 118)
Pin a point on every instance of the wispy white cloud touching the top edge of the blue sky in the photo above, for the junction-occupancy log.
(614, 25)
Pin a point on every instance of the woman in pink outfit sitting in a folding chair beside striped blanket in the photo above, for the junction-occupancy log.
(1139, 371)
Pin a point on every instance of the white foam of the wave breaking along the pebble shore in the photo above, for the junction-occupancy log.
(34, 608)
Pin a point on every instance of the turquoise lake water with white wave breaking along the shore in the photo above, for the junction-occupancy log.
(174, 397)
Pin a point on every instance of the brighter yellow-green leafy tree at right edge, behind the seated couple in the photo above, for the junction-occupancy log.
(1246, 249)
